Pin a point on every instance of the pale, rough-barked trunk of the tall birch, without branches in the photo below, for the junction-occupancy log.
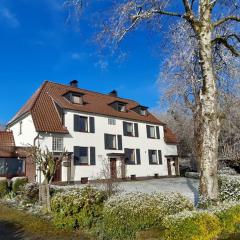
(209, 113)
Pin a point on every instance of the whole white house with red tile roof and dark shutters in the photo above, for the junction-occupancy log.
(98, 130)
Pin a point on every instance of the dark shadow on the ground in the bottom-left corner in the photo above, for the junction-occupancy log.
(10, 231)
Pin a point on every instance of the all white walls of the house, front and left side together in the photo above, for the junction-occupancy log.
(27, 135)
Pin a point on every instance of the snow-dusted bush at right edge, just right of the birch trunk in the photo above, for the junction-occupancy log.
(229, 187)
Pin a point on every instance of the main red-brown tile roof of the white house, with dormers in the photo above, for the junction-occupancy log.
(45, 115)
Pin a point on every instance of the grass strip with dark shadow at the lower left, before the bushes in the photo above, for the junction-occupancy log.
(26, 226)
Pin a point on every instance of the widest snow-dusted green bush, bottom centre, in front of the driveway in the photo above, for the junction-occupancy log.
(125, 215)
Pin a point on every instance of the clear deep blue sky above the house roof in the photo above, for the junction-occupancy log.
(36, 44)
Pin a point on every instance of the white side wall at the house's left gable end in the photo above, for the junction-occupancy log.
(28, 131)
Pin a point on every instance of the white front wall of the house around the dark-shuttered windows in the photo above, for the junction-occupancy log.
(97, 140)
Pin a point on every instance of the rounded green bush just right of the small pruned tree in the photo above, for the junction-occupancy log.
(77, 208)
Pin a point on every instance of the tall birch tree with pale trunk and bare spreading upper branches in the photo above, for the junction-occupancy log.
(204, 19)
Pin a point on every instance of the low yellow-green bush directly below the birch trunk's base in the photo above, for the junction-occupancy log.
(197, 225)
